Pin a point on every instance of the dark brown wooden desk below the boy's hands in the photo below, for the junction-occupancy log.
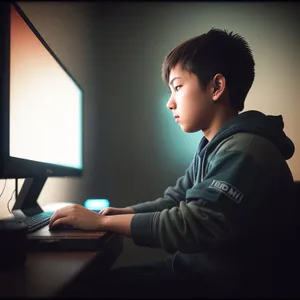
(49, 274)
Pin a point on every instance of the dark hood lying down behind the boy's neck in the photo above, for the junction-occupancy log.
(269, 127)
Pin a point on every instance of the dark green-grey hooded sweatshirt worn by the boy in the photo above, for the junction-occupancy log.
(225, 215)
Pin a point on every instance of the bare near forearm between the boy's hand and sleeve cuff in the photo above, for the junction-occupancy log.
(117, 223)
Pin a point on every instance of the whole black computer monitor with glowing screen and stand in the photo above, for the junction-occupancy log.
(41, 110)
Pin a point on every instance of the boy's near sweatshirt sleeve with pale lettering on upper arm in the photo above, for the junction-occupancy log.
(215, 210)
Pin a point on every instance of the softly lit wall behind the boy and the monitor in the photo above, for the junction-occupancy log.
(133, 147)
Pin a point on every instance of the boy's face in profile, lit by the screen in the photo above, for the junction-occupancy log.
(192, 105)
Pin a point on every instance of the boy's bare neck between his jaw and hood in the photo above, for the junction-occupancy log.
(222, 117)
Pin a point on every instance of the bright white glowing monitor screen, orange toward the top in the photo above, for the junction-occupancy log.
(45, 103)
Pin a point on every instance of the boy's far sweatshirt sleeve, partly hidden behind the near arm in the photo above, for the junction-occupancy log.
(172, 197)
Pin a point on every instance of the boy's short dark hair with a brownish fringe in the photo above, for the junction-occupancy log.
(217, 51)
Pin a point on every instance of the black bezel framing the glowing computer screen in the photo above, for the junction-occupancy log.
(16, 167)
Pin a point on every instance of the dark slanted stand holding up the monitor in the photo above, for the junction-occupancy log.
(26, 201)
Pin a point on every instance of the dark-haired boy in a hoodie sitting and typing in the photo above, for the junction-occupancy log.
(222, 219)
